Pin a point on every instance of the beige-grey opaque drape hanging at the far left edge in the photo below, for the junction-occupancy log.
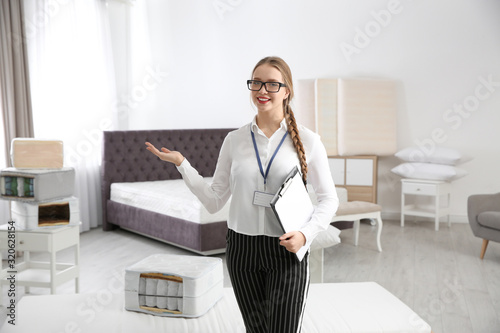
(15, 99)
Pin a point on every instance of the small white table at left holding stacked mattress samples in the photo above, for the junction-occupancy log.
(41, 274)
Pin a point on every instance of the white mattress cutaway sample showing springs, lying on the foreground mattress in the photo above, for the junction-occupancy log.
(174, 285)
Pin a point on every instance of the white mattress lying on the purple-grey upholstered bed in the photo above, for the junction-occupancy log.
(168, 197)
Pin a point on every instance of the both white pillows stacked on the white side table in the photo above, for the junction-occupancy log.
(439, 164)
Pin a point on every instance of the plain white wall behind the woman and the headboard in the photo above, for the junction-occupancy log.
(439, 51)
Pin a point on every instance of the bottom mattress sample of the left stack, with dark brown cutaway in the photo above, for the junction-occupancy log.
(34, 215)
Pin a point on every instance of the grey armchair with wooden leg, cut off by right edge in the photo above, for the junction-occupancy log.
(483, 211)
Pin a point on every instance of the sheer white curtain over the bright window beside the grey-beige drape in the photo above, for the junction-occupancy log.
(73, 87)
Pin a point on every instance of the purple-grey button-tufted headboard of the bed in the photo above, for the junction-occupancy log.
(125, 158)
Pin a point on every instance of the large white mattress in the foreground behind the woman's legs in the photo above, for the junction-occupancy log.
(331, 307)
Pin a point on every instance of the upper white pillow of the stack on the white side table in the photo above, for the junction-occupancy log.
(439, 155)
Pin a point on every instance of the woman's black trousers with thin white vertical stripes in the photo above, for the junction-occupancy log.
(269, 283)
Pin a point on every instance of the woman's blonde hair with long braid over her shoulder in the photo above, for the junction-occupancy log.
(293, 131)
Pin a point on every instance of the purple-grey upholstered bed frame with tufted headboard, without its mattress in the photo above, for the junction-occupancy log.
(125, 159)
